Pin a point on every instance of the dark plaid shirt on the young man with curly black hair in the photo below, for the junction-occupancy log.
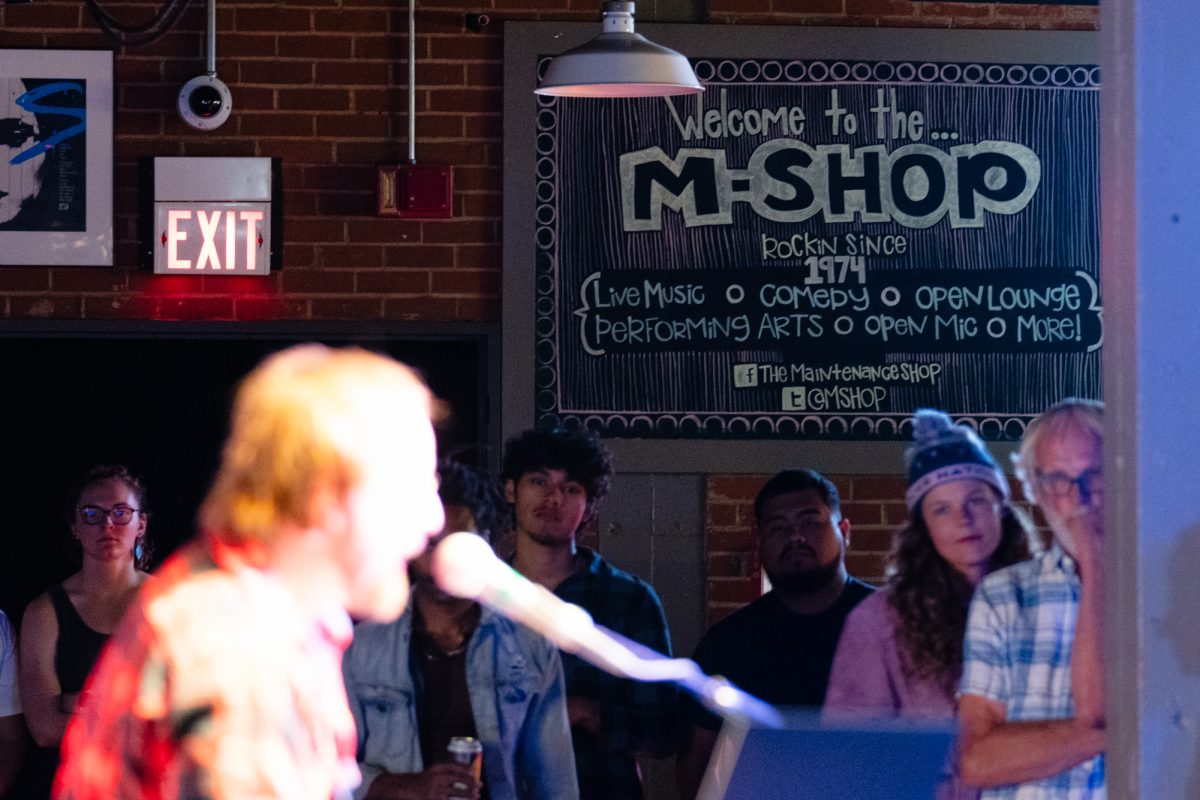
(638, 717)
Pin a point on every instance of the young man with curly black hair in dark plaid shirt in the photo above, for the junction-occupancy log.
(555, 480)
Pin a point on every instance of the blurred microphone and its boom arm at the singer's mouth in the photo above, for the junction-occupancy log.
(465, 567)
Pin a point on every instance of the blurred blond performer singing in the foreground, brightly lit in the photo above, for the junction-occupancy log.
(224, 681)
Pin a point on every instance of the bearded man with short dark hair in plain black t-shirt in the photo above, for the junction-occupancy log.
(781, 647)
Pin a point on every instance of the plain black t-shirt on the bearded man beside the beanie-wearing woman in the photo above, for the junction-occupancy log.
(775, 654)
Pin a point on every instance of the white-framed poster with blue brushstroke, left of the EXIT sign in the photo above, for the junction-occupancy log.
(57, 158)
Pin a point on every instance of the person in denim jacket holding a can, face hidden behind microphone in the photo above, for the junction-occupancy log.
(451, 669)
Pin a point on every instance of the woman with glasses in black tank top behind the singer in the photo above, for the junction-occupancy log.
(65, 629)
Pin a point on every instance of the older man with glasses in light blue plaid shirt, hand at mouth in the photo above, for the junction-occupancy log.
(1033, 694)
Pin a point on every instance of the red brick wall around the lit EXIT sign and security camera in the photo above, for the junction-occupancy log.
(323, 83)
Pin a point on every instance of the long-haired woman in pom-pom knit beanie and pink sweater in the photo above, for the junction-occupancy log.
(901, 653)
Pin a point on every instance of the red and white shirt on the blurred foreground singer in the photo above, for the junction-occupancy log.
(214, 687)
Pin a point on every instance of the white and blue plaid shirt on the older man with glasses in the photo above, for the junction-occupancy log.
(1018, 649)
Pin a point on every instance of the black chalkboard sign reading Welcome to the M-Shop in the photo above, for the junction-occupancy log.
(817, 248)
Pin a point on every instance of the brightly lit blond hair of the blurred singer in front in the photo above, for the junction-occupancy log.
(304, 416)
